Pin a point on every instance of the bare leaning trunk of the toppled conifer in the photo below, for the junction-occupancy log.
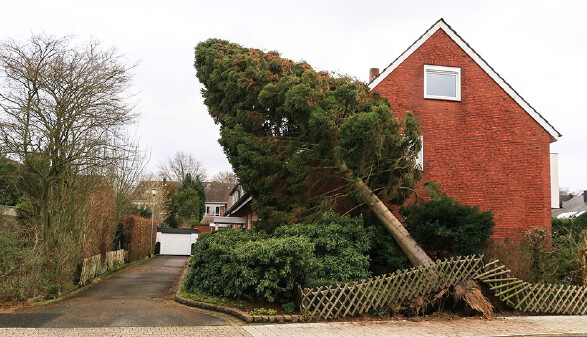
(408, 245)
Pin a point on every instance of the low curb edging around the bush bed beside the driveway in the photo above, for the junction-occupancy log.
(231, 311)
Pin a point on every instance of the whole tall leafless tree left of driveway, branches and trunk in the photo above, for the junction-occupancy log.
(63, 111)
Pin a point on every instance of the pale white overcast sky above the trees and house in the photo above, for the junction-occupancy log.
(538, 47)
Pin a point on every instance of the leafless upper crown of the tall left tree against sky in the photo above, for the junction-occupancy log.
(67, 102)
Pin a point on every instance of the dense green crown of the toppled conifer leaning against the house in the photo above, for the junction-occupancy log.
(287, 129)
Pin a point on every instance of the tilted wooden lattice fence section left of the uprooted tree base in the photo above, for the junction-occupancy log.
(387, 290)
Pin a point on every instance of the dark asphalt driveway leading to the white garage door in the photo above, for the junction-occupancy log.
(136, 296)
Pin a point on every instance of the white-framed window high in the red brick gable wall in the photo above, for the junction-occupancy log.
(442, 83)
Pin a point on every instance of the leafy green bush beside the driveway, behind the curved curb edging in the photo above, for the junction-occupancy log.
(245, 264)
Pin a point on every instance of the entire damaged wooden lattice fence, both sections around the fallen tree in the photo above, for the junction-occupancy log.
(389, 291)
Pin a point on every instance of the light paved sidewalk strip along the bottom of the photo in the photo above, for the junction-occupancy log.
(509, 326)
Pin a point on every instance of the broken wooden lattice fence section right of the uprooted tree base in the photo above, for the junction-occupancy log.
(533, 297)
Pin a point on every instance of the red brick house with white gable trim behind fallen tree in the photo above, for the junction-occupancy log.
(482, 141)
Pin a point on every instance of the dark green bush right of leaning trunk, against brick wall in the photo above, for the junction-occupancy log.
(445, 227)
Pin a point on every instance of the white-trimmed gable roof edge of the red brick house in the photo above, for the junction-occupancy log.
(441, 24)
